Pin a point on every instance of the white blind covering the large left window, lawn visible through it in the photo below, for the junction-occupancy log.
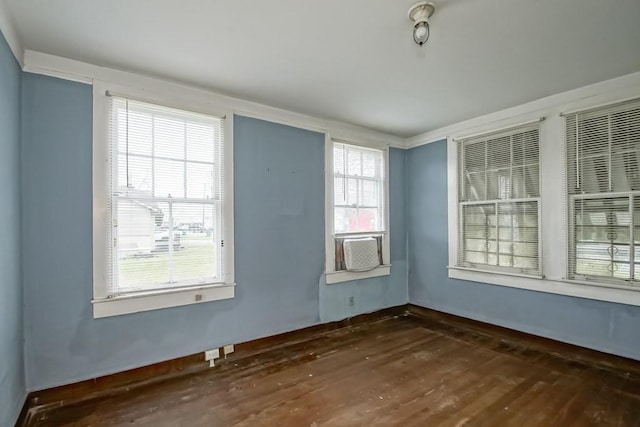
(166, 197)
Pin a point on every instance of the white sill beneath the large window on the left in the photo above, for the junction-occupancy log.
(154, 300)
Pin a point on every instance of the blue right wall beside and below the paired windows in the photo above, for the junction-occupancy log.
(609, 327)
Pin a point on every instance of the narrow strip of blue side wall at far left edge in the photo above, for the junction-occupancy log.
(12, 386)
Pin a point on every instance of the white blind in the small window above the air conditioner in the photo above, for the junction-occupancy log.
(358, 189)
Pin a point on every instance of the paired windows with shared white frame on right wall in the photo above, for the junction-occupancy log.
(550, 202)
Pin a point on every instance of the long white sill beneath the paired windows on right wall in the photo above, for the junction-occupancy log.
(580, 289)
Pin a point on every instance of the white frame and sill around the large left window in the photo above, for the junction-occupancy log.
(104, 306)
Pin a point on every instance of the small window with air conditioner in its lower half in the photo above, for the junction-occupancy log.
(358, 245)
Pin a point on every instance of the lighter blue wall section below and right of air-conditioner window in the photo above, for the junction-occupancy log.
(379, 292)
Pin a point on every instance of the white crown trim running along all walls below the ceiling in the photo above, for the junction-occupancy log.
(56, 66)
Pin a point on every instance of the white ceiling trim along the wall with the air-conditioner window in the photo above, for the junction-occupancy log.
(56, 66)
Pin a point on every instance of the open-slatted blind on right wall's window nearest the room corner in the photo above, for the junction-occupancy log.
(499, 200)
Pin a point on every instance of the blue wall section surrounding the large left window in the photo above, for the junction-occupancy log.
(279, 246)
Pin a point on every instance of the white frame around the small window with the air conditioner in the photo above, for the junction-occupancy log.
(332, 276)
